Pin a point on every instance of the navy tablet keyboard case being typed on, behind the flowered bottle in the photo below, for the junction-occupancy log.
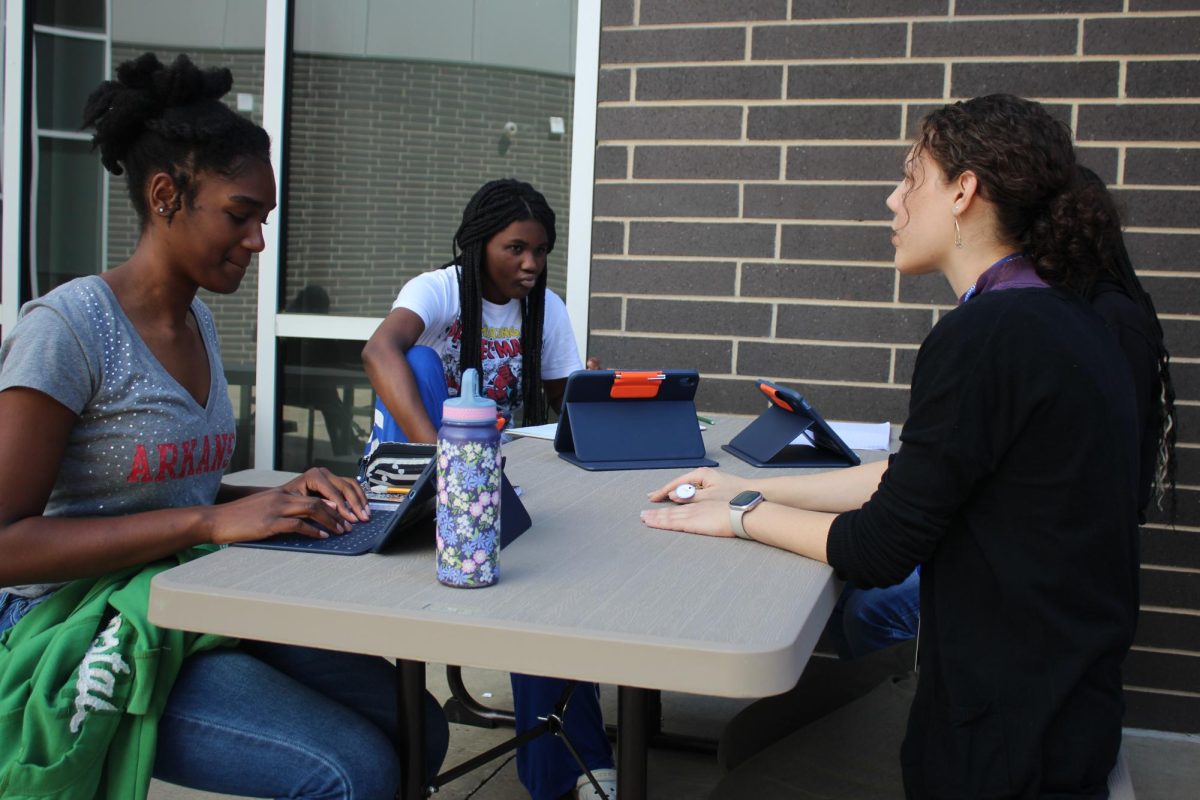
(389, 519)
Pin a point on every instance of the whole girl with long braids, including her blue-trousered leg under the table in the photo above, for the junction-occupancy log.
(489, 309)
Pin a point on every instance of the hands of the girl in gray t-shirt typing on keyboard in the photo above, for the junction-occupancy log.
(315, 498)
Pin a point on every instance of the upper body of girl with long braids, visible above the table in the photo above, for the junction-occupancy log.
(488, 309)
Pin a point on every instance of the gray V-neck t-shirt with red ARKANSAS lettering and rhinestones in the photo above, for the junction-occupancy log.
(142, 442)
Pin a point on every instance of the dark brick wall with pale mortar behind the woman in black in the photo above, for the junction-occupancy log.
(745, 154)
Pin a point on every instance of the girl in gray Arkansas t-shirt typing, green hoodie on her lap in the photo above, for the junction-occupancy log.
(116, 425)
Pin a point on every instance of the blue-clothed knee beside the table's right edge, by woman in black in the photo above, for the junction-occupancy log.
(866, 621)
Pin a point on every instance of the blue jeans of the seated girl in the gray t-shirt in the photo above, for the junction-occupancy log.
(280, 721)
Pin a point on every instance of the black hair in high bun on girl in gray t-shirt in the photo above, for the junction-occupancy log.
(157, 119)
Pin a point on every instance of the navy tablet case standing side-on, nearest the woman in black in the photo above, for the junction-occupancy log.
(767, 442)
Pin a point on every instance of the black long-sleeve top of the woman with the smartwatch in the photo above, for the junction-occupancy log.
(1016, 489)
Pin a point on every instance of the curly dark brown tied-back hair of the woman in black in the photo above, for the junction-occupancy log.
(1025, 163)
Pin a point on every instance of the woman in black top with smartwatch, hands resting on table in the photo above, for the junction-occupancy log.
(1016, 482)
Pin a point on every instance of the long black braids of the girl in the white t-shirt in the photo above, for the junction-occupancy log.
(493, 209)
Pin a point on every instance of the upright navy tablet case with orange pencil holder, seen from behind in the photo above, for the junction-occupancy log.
(631, 420)
